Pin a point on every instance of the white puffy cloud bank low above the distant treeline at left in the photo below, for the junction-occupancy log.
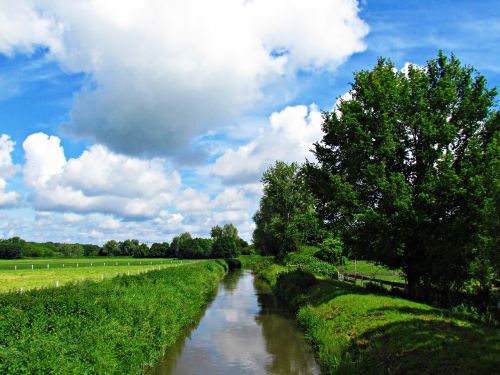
(97, 181)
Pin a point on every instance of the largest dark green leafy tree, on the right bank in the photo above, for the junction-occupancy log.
(404, 169)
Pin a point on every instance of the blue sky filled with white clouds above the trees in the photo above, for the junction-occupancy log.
(148, 118)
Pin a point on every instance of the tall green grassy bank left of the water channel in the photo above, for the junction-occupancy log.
(119, 325)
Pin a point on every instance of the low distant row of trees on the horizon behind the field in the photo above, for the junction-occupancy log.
(224, 243)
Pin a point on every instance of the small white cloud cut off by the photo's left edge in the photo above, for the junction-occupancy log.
(7, 170)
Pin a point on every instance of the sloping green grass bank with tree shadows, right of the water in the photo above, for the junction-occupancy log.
(358, 331)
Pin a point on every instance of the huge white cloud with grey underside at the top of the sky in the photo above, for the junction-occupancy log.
(163, 72)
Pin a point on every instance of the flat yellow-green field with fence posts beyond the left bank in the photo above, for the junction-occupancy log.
(17, 274)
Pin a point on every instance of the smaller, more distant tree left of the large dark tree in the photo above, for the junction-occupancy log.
(286, 217)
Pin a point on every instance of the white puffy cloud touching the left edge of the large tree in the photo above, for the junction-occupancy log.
(288, 136)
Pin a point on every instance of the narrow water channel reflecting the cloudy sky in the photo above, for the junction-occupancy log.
(243, 331)
